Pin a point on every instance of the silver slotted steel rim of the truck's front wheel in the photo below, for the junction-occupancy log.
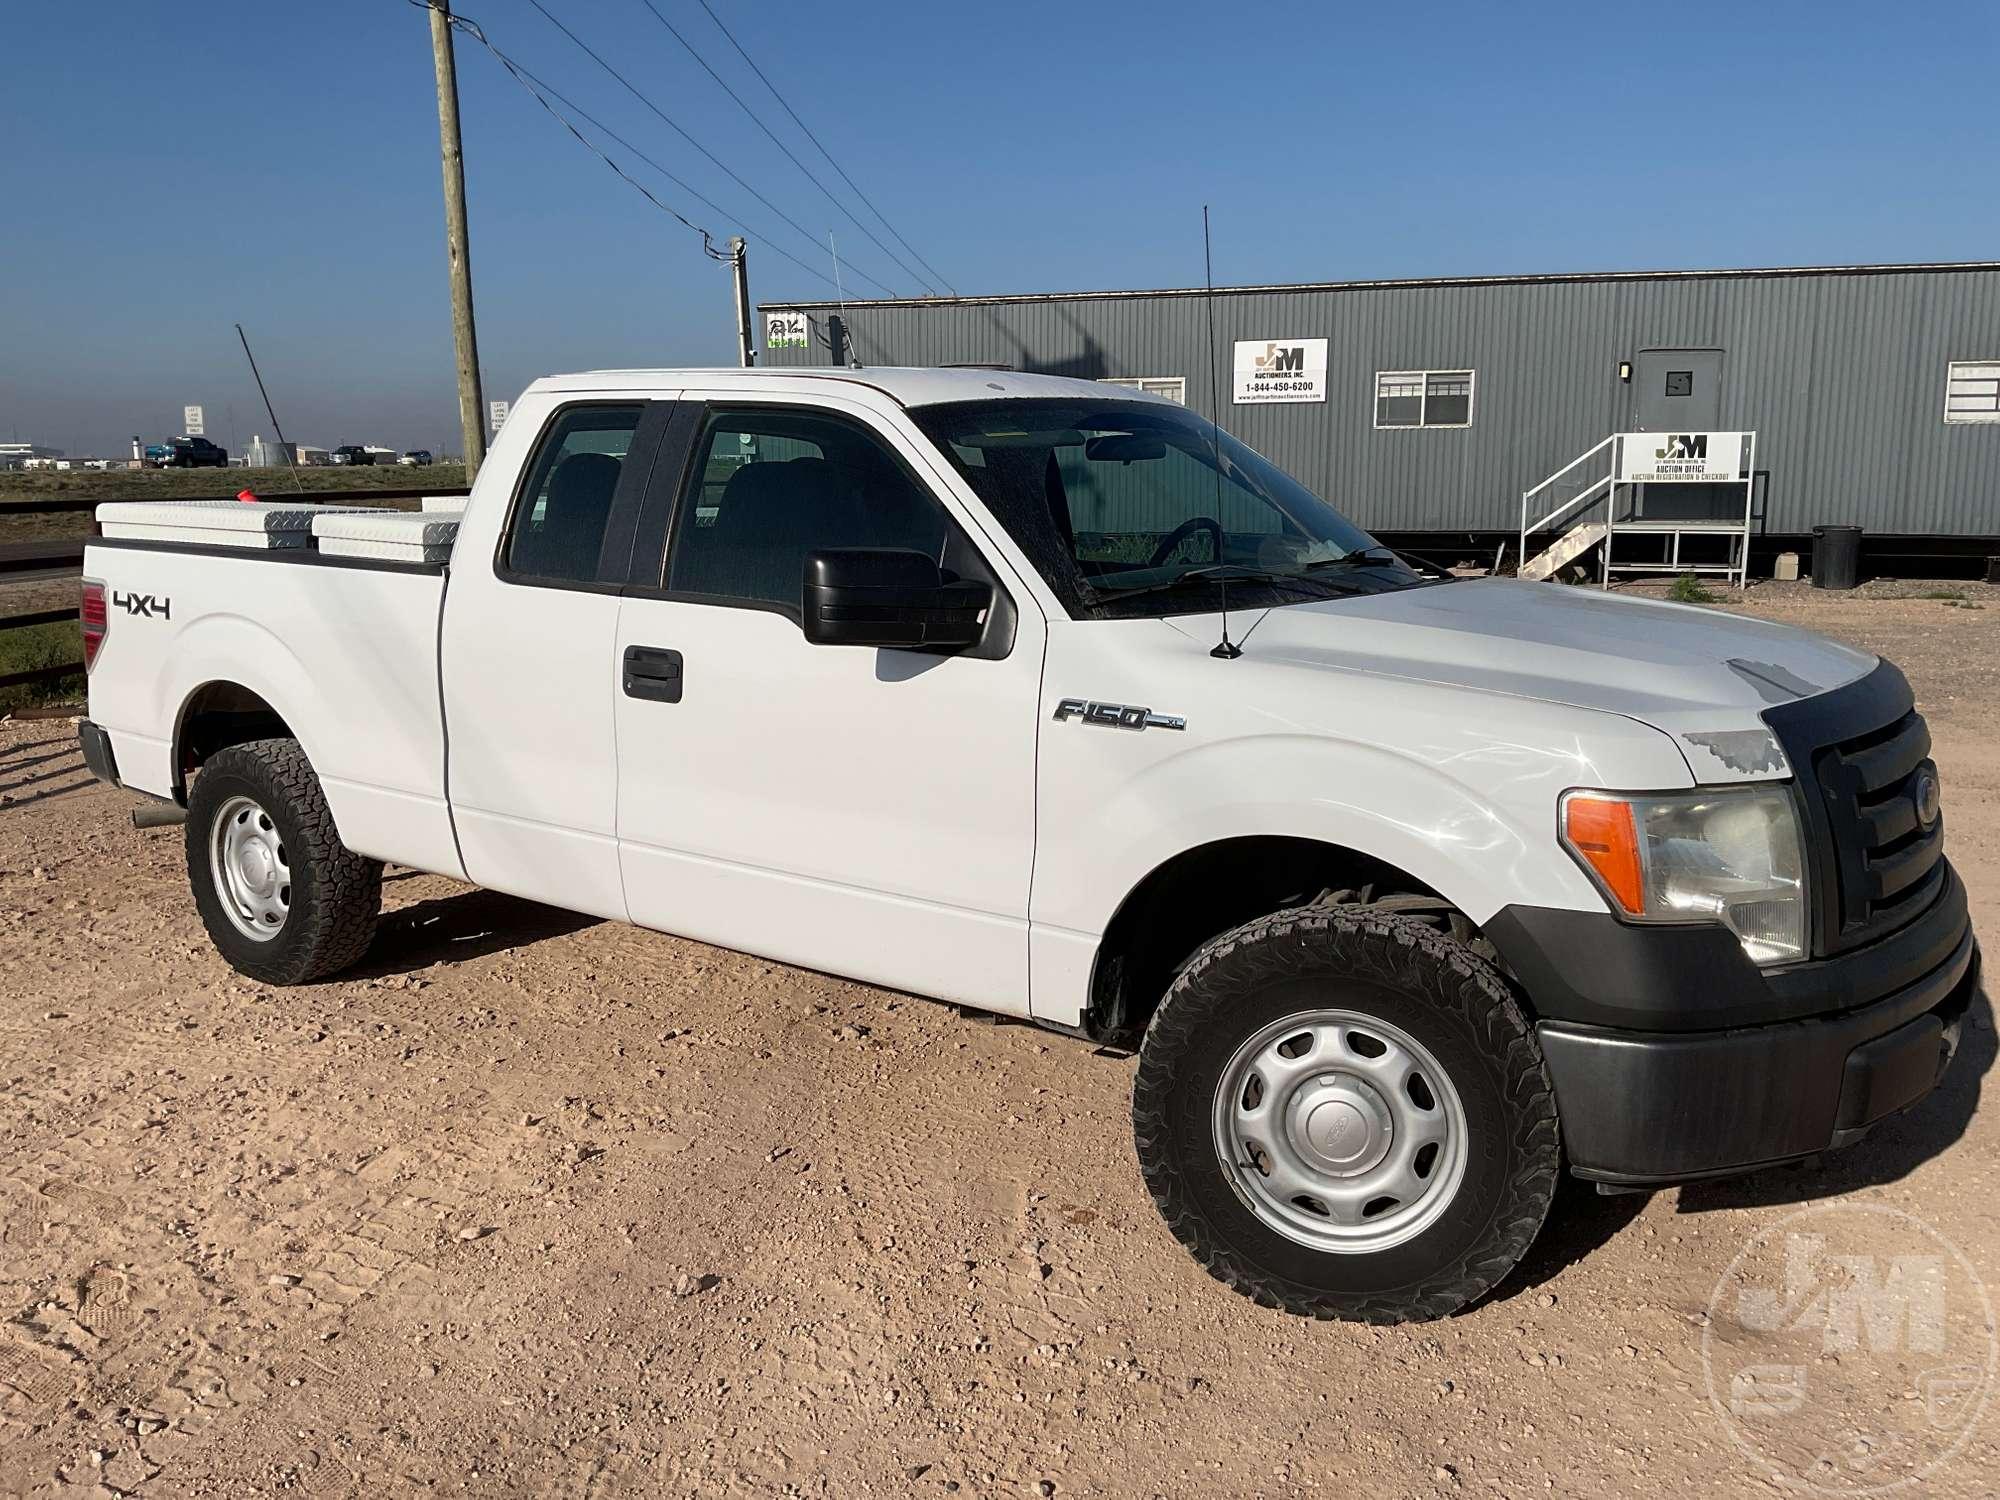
(1341, 1131)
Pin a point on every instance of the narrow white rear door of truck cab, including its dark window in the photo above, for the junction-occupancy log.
(529, 661)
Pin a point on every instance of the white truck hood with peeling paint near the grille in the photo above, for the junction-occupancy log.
(1703, 677)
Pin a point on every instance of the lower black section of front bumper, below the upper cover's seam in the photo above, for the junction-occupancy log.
(1659, 1109)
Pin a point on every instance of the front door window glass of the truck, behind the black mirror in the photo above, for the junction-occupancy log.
(771, 487)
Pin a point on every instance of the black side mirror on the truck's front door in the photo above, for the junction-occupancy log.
(887, 597)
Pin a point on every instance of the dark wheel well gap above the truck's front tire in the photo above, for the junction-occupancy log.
(1207, 891)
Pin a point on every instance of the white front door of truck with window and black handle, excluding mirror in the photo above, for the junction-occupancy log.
(859, 811)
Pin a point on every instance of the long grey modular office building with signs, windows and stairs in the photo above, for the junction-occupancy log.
(1429, 409)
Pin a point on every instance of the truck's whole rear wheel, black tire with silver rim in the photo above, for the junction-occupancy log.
(283, 899)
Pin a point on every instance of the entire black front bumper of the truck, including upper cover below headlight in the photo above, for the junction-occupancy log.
(1675, 1101)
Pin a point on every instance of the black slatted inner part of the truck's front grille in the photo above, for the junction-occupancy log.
(1887, 865)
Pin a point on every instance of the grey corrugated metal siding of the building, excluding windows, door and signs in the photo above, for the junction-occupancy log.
(1843, 377)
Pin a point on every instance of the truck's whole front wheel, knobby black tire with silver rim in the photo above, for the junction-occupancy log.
(1343, 1113)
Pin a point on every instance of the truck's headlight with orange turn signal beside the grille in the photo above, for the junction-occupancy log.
(1699, 857)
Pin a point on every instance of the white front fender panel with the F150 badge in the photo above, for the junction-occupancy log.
(1459, 791)
